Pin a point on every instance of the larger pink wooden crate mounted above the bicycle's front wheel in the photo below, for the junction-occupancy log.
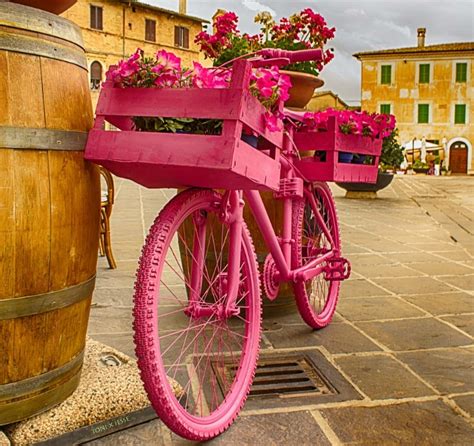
(156, 160)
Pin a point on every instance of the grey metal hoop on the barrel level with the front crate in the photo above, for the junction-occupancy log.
(41, 139)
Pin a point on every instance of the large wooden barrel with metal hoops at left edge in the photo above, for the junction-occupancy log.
(49, 210)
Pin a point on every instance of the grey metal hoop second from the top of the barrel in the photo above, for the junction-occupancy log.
(45, 48)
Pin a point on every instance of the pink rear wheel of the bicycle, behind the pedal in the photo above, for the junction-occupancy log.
(316, 298)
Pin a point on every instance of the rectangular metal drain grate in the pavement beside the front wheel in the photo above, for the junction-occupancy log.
(304, 377)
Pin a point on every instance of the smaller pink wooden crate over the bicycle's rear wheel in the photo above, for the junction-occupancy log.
(330, 144)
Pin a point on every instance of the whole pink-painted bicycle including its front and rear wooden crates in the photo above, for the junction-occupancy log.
(197, 315)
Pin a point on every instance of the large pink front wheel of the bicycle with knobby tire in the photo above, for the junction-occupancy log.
(197, 365)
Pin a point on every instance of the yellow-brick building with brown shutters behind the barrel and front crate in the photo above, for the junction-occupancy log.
(114, 29)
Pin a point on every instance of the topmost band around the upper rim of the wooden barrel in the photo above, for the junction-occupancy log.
(35, 20)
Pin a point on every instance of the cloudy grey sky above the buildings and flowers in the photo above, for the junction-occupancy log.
(361, 25)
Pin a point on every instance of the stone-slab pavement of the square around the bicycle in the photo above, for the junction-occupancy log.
(402, 336)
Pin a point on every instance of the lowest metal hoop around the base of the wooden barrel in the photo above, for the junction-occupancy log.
(28, 387)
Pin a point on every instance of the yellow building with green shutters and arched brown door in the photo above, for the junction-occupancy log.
(430, 90)
